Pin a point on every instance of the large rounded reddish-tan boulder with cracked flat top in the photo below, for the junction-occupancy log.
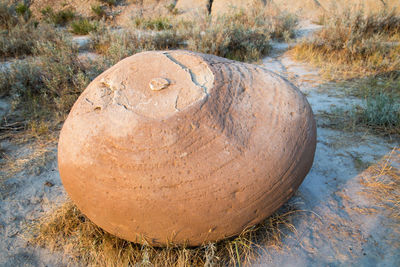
(216, 148)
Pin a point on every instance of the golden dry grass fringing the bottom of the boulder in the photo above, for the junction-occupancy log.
(67, 229)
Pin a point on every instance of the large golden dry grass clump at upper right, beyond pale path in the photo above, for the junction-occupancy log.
(354, 45)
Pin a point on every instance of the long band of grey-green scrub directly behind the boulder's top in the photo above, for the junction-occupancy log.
(242, 36)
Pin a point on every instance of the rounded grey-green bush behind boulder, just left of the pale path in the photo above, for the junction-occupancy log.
(241, 36)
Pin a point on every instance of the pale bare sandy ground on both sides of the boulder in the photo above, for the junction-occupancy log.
(332, 230)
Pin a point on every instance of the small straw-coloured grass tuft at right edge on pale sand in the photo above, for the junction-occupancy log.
(382, 183)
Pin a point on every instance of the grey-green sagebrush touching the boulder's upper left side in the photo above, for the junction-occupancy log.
(45, 87)
